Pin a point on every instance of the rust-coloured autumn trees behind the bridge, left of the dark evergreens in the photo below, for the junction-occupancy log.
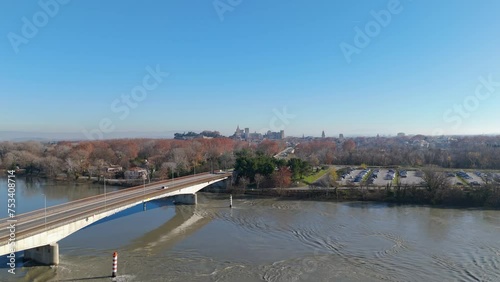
(161, 157)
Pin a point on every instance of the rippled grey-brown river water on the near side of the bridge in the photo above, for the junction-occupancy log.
(279, 240)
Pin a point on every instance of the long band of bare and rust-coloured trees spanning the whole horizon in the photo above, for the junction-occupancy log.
(164, 156)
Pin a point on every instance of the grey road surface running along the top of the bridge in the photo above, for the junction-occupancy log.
(40, 220)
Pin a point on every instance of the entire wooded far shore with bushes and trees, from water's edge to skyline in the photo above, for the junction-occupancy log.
(303, 168)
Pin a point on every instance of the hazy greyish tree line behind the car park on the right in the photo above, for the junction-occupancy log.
(461, 152)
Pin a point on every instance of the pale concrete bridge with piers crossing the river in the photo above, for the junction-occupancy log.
(37, 232)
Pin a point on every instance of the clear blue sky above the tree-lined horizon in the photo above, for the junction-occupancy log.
(241, 62)
